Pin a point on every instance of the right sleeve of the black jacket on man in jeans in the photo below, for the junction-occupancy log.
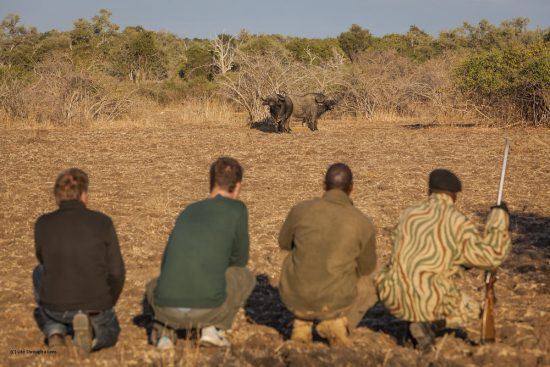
(115, 264)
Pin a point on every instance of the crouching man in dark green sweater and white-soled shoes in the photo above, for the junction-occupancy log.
(203, 279)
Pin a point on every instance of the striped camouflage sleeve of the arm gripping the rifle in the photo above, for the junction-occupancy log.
(487, 251)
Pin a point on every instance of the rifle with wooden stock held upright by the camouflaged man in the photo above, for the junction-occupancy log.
(488, 316)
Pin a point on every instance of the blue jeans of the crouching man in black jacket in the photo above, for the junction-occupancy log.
(104, 323)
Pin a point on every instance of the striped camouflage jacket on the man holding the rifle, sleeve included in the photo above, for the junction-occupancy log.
(431, 242)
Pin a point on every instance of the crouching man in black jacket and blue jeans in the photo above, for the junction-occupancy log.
(81, 271)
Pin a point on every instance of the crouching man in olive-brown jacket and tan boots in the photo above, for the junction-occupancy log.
(326, 275)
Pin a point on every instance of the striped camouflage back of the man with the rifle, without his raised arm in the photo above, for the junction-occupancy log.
(424, 254)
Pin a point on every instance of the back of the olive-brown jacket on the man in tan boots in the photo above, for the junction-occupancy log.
(330, 235)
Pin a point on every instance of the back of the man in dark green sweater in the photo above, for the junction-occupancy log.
(204, 243)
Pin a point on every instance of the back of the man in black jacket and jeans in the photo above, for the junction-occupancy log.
(79, 250)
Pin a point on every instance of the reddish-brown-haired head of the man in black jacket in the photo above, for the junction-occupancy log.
(71, 184)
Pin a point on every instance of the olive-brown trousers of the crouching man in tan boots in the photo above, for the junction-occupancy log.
(365, 299)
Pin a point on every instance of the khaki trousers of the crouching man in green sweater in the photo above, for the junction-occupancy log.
(240, 283)
